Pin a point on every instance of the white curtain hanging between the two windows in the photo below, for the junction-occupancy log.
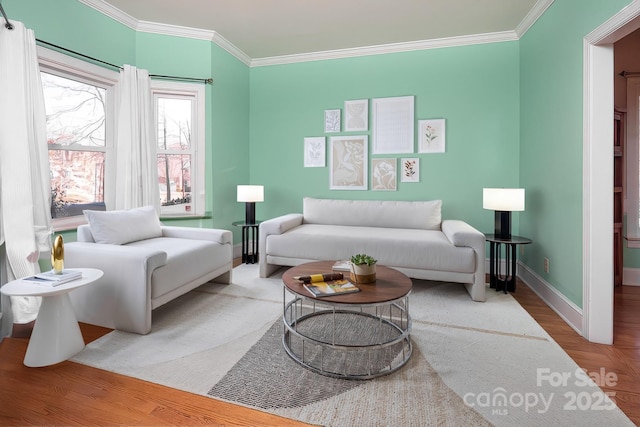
(136, 166)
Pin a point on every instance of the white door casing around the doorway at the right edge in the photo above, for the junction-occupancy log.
(598, 126)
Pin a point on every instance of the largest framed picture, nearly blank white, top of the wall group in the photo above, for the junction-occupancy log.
(393, 123)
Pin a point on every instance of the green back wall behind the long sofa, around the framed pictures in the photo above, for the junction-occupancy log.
(475, 88)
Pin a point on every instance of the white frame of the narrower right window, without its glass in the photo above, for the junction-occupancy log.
(196, 92)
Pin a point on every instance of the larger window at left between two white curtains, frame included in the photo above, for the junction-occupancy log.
(78, 102)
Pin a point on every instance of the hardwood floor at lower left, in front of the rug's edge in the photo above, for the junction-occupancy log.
(72, 394)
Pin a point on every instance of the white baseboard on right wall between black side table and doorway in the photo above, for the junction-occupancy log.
(567, 310)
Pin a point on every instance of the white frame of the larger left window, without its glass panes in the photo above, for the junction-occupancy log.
(62, 65)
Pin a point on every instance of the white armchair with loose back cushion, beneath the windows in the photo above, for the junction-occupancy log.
(145, 265)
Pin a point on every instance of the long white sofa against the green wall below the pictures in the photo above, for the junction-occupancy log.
(408, 236)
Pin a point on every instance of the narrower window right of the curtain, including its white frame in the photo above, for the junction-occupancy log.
(179, 111)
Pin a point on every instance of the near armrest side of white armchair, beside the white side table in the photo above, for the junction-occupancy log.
(121, 298)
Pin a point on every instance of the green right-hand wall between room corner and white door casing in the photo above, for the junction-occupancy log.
(551, 133)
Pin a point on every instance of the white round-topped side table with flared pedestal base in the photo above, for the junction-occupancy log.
(56, 335)
